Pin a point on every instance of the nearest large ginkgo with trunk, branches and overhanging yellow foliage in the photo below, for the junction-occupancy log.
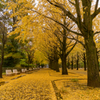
(81, 12)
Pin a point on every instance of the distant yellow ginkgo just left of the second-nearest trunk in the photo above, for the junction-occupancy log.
(48, 45)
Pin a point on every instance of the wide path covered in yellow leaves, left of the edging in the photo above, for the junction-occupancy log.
(34, 86)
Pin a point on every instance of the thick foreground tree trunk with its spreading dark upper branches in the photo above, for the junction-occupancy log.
(83, 17)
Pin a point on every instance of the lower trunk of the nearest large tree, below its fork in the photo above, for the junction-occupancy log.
(92, 63)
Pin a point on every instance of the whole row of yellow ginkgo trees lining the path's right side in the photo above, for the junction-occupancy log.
(62, 25)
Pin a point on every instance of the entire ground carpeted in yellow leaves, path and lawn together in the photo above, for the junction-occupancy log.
(46, 84)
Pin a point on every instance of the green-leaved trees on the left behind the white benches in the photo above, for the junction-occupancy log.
(14, 52)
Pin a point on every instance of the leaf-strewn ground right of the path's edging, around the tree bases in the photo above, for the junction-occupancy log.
(74, 86)
